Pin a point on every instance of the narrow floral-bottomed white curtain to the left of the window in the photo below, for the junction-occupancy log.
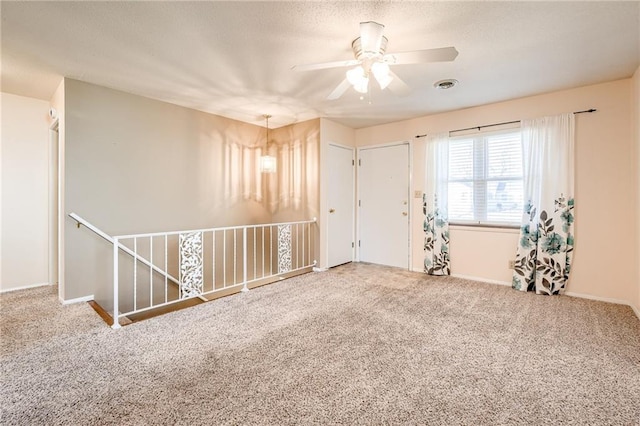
(434, 205)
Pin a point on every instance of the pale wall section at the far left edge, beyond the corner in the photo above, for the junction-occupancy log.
(24, 153)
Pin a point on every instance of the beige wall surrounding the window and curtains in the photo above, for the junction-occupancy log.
(606, 253)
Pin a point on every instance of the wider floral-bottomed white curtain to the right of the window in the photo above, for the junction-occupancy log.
(545, 248)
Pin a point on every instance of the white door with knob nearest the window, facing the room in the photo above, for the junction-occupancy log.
(383, 200)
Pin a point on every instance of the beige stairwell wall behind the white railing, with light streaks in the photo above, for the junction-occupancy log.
(135, 165)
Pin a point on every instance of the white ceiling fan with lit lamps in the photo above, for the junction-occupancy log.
(371, 59)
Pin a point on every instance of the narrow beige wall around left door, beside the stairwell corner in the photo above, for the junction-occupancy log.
(330, 132)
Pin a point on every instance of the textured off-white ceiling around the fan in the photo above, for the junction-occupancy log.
(234, 58)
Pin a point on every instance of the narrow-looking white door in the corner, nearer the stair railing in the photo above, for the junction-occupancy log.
(340, 238)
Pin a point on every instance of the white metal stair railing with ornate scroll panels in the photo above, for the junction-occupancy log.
(206, 262)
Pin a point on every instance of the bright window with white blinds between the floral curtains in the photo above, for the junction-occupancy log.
(485, 179)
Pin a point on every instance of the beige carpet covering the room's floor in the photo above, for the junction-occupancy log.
(359, 344)
